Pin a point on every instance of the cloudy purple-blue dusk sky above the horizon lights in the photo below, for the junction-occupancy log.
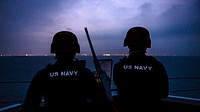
(27, 26)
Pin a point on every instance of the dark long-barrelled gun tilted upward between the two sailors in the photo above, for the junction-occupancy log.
(103, 76)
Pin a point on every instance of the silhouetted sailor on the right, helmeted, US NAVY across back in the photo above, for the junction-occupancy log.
(141, 80)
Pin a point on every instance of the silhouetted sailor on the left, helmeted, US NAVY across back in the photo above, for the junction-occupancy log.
(67, 85)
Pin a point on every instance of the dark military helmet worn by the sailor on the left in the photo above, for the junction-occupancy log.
(65, 41)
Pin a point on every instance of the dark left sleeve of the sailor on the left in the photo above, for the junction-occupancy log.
(33, 96)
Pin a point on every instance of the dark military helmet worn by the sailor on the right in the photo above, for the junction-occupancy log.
(138, 36)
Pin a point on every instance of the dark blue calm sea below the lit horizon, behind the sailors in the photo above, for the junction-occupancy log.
(17, 71)
